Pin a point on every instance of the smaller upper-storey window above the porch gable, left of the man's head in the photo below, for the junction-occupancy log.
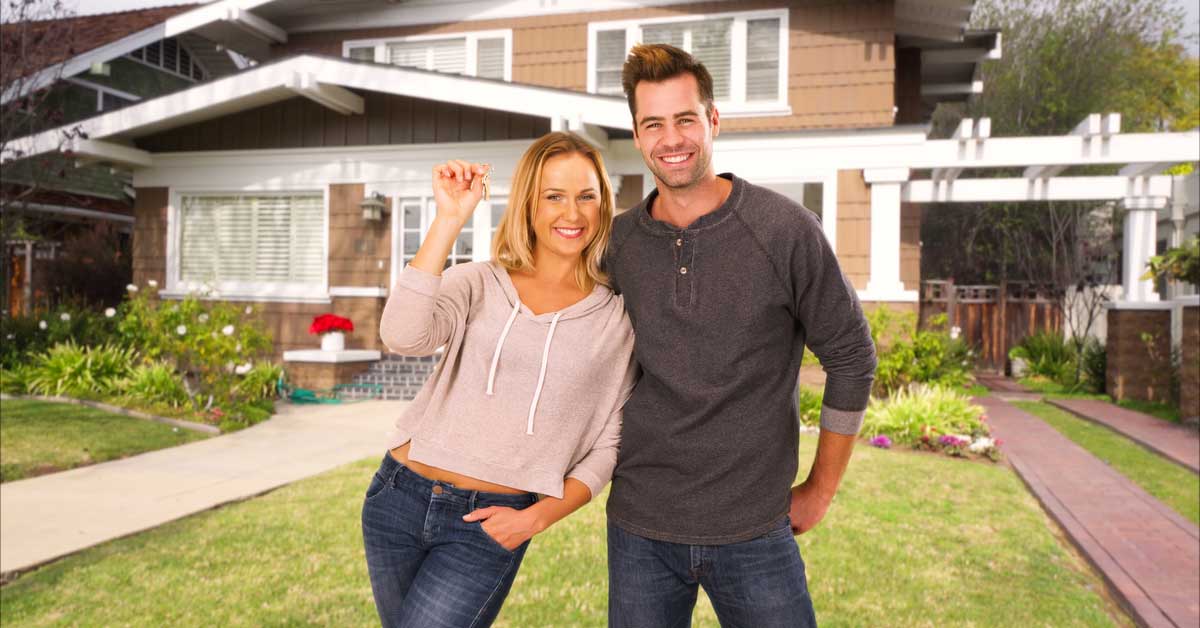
(481, 55)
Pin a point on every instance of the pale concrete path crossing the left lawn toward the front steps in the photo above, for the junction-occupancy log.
(50, 517)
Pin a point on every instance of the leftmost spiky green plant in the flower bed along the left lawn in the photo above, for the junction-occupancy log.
(70, 369)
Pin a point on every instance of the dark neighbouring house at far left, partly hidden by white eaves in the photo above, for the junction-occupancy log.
(77, 69)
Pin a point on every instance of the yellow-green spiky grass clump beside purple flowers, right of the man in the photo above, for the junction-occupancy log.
(921, 415)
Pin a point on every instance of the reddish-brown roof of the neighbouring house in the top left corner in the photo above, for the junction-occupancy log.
(75, 37)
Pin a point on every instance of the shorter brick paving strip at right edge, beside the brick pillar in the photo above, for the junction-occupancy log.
(1178, 444)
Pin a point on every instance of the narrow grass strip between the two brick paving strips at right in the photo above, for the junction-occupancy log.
(1171, 483)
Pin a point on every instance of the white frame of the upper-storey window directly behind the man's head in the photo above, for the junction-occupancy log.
(736, 106)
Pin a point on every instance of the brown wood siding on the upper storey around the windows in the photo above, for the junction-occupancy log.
(842, 62)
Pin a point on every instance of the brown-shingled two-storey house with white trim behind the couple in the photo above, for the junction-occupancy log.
(255, 183)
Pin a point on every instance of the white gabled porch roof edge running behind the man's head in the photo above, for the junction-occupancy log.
(327, 81)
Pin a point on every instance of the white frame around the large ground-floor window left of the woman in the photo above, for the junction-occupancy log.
(235, 291)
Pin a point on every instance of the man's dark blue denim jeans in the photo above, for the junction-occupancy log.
(754, 584)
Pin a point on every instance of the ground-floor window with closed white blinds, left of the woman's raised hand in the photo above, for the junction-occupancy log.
(271, 243)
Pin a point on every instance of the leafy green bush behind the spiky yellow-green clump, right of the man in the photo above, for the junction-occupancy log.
(927, 356)
